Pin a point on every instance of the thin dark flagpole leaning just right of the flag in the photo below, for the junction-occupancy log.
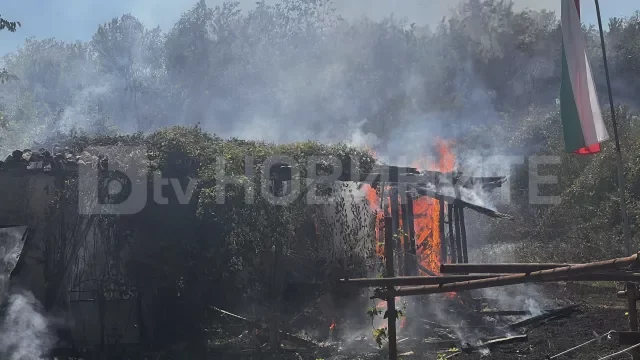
(621, 180)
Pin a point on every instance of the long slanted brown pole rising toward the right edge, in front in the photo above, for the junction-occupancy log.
(542, 275)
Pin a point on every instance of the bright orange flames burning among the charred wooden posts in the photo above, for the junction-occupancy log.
(426, 213)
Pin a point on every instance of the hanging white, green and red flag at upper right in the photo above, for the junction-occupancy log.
(582, 122)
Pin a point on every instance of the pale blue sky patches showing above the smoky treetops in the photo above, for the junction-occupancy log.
(71, 20)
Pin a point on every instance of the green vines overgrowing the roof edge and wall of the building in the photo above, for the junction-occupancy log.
(215, 250)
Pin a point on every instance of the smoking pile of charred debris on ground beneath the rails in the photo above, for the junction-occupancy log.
(452, 323)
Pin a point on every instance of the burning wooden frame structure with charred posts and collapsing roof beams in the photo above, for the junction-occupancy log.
(427, 211)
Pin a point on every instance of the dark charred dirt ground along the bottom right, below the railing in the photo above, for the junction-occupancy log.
(600, 311)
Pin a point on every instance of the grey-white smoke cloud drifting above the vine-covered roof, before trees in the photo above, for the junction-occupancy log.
(279, 74)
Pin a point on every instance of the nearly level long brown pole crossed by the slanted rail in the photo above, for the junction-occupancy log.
(436, 280)
